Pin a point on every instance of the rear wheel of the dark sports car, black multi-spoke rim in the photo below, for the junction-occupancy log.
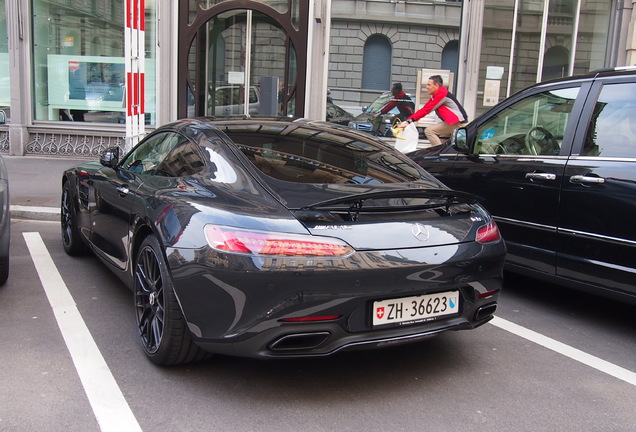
(162, 329)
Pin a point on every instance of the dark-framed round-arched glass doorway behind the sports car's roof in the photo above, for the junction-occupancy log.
(242, 58)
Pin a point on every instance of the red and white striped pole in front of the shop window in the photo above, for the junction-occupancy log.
(134, 54)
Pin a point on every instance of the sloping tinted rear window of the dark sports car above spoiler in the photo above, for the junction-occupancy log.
(304, 155)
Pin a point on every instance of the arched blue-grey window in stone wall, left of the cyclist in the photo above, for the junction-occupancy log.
(376, 63)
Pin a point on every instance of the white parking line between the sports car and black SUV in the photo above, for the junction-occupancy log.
(566, 350)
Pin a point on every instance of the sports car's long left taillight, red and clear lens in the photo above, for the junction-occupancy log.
(268, 243)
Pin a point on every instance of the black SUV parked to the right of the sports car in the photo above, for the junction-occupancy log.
(556, 166)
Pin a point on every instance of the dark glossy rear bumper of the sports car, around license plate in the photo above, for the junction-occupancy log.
(234, 305)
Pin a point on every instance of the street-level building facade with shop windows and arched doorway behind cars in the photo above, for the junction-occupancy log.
(63, 77)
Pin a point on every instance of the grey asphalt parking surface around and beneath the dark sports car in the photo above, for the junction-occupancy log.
(494, 378)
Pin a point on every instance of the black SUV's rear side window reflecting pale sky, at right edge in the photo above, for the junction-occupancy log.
(612, 128)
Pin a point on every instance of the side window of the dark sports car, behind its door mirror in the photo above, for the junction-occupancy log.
(147, 156)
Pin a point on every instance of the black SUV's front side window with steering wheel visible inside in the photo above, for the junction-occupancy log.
(534, 125)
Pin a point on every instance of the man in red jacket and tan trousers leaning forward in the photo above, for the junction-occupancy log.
(447, 108)
